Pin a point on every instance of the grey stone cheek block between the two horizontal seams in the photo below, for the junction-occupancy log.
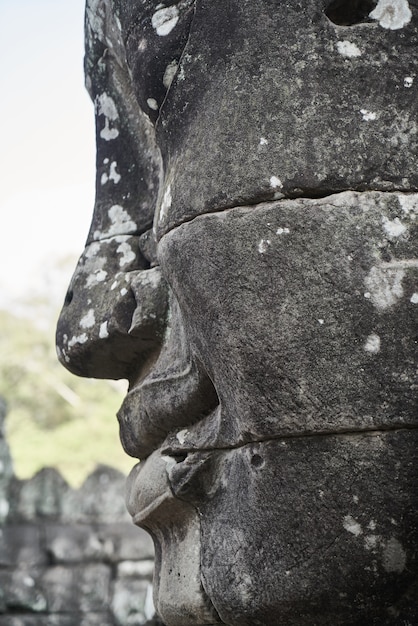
(303, 284)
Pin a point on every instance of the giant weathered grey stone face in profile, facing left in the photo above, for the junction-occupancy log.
(252, 269)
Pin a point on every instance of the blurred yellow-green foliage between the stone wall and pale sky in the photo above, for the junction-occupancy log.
(55, 418)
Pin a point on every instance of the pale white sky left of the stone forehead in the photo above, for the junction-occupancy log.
(47, 153)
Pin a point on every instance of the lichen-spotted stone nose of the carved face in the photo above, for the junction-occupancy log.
(113, 319)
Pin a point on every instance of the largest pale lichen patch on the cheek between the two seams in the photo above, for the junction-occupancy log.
(384, 286)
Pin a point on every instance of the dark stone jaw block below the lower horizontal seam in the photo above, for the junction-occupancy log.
(340, 512)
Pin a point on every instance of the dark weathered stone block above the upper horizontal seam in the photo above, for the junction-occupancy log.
(285, 102)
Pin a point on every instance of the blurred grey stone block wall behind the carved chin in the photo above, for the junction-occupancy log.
(70, 557)
